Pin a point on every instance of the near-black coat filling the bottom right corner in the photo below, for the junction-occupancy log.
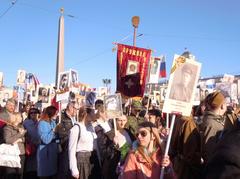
(225, 163)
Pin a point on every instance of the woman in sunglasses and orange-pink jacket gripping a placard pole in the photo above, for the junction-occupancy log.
(146, 159)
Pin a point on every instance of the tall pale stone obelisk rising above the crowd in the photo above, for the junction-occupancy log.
(60, 49)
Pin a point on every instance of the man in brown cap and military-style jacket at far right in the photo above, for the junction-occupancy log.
(213, 123)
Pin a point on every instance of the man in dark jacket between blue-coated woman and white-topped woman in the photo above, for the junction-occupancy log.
(68, 119)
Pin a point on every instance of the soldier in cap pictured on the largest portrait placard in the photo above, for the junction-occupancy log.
(181, 90)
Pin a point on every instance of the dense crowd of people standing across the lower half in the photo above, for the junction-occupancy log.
(81, 142)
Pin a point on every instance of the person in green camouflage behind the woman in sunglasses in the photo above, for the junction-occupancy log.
(133, 118)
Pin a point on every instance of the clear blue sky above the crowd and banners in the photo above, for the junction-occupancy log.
(210, 29)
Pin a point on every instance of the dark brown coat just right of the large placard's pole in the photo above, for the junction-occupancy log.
(186, 149)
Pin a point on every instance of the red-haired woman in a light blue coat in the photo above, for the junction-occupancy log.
(48, 149)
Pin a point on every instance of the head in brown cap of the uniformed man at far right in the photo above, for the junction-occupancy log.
(216, 102)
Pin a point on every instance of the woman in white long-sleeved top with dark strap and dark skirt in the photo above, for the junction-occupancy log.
(83, 159)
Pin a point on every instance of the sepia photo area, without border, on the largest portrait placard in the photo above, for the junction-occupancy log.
(184, 78)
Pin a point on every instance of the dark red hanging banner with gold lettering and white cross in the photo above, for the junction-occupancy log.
(132, 69)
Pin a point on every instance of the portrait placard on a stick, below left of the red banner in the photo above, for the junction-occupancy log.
(113, 105)
